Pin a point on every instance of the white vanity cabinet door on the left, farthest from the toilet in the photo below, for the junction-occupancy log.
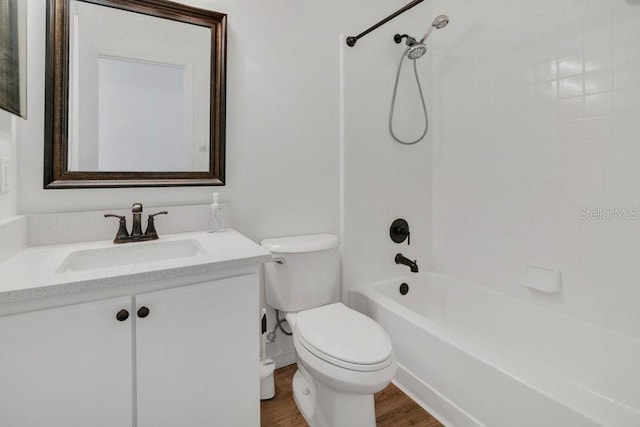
(68, 366)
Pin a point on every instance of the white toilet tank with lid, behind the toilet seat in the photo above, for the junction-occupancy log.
(308, 276)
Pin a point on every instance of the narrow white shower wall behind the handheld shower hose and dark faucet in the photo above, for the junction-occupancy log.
(381, 179)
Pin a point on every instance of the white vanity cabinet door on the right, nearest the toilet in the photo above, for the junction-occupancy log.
(197, 355)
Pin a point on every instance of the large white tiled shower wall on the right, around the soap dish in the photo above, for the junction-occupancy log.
(537, 159)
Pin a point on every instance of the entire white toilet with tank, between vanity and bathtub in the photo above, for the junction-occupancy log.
(343, 356)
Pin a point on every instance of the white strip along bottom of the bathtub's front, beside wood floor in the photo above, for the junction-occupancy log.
(432, 401)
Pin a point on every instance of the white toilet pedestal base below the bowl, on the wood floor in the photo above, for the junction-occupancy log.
(323, 407)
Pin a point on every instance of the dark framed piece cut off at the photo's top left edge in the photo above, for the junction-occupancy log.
(13, 56)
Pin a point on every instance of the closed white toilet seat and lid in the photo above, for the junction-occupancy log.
(345, 338)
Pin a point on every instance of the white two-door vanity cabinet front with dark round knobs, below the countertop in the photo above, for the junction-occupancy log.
(184, 356)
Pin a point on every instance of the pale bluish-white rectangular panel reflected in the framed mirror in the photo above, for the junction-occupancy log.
(156, 94)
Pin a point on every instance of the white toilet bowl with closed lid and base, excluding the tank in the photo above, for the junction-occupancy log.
(343, 358)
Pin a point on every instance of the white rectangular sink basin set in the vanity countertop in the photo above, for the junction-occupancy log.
(130, 253)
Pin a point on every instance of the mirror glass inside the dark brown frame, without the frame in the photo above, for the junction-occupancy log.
(139, 90)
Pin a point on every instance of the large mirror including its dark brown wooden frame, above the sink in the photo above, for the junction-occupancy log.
(135, 94)
